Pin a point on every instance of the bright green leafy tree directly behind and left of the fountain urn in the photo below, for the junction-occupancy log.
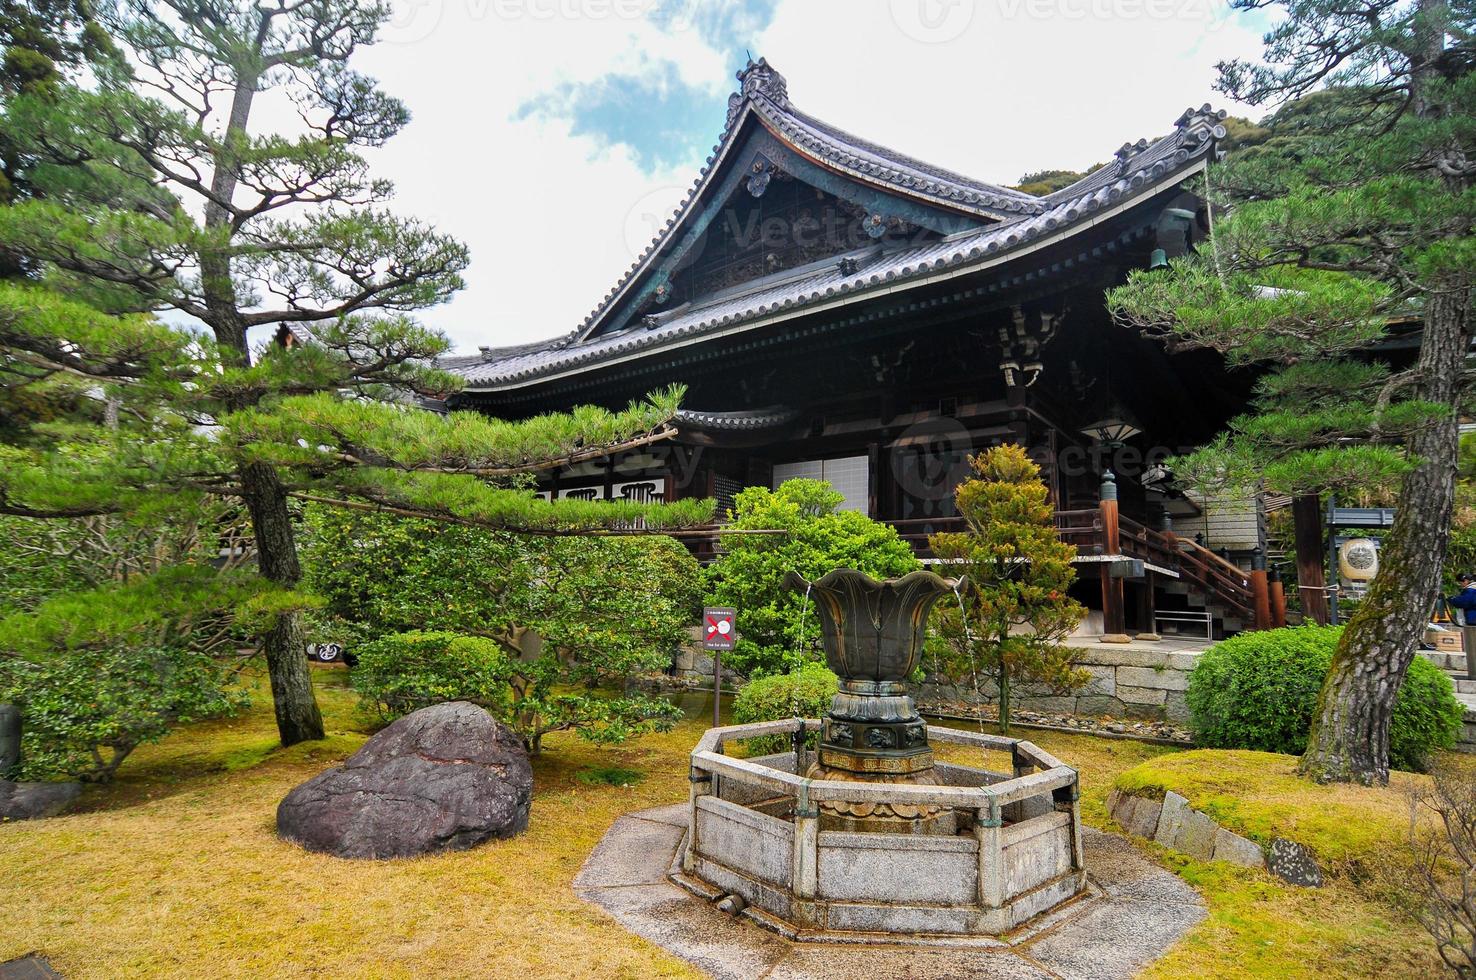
(813, 538)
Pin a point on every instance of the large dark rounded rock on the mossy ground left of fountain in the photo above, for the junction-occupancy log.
(444, 779)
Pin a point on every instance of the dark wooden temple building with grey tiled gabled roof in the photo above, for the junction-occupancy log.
(841, 311)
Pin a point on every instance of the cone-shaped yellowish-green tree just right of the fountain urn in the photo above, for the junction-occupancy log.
(1019, 573)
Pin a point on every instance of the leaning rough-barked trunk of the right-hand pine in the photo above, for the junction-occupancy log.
(1350, 740)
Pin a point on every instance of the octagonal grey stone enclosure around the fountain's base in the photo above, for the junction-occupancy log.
(755, 832)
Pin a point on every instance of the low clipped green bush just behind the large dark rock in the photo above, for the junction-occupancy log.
(407, 672)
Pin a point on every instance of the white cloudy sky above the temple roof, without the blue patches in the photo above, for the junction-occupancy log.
(990, 89)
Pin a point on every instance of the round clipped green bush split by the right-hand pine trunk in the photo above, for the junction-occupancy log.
(1260, 691)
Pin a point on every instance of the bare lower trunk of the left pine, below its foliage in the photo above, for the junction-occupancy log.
(297, 714)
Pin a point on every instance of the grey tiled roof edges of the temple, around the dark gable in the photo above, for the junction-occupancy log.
(1140, 169)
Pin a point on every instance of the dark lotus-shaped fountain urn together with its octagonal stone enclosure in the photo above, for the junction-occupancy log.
(876, 839)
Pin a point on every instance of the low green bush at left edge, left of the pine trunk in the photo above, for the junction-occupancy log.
(83, 712)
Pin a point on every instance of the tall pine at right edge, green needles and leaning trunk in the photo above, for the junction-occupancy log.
(1366, 218)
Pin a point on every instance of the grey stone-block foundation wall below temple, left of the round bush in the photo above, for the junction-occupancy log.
(1128, 684)
